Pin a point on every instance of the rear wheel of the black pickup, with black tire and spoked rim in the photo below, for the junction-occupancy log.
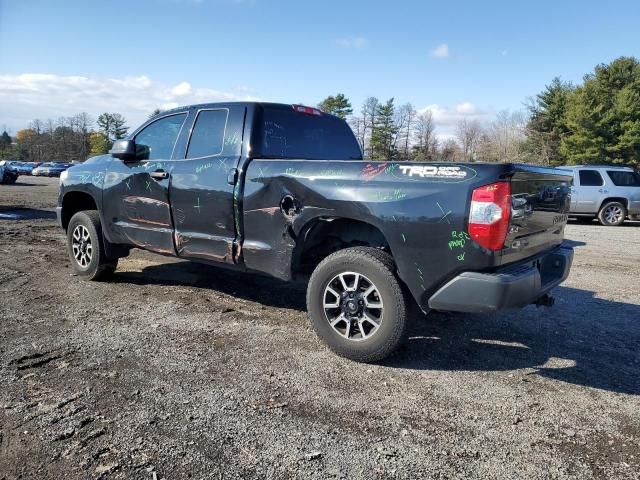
(356, 304)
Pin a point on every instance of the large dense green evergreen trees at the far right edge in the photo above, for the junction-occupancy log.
(603, 116)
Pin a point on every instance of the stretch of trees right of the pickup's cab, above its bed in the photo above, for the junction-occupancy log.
(595, 122)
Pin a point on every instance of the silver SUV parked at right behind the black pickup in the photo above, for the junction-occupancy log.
(610, 194)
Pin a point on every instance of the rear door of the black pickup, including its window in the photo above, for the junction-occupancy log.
(202, 185)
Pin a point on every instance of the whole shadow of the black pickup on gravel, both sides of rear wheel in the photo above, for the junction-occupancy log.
(582, 340)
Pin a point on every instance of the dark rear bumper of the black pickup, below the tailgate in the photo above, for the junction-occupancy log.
(513, 287)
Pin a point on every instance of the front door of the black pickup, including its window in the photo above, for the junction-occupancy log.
(136, 195)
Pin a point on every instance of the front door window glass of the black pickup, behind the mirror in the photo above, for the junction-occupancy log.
(156, 140)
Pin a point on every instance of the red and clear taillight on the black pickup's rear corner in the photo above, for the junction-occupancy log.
(489, 215)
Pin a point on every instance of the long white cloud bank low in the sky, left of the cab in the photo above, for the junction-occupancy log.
(37, 95)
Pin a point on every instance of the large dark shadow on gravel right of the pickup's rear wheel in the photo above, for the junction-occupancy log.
(583, 340)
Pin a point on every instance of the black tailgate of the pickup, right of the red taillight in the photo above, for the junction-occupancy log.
(540, 200)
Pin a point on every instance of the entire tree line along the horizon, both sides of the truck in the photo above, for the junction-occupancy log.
(597, 121)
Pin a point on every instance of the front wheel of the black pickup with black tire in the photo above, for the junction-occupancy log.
(93, 263)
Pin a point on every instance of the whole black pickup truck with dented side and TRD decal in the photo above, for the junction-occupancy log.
(283, 190)
